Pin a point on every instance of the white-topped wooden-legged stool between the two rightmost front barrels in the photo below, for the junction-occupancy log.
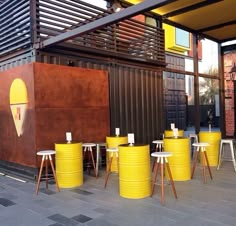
(201, 147)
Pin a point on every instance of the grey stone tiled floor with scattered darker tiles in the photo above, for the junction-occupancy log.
(211, 204)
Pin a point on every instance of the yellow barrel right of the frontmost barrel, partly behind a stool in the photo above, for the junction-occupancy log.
(180, 161)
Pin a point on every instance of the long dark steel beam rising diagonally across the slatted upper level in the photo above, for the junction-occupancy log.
(146, 5)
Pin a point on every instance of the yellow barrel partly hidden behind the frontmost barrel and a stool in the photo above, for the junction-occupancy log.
(114, 142)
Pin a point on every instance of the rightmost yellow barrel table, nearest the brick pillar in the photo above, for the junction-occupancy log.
(213, 138)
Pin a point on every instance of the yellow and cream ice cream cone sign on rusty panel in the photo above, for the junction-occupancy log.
(18, 104)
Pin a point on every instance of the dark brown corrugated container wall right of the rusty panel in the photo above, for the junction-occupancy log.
(135, 101)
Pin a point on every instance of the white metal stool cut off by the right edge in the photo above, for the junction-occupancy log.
(224, 142)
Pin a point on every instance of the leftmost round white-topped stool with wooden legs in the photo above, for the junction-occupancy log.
(46, 155)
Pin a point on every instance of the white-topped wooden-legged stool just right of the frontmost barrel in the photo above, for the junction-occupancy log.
(162, 158)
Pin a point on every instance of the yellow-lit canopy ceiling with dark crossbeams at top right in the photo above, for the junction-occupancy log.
(215, 19)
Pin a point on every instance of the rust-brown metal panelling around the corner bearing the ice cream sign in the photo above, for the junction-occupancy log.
(60, 99)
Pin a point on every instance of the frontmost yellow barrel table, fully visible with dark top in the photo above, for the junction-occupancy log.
(134, 171)
